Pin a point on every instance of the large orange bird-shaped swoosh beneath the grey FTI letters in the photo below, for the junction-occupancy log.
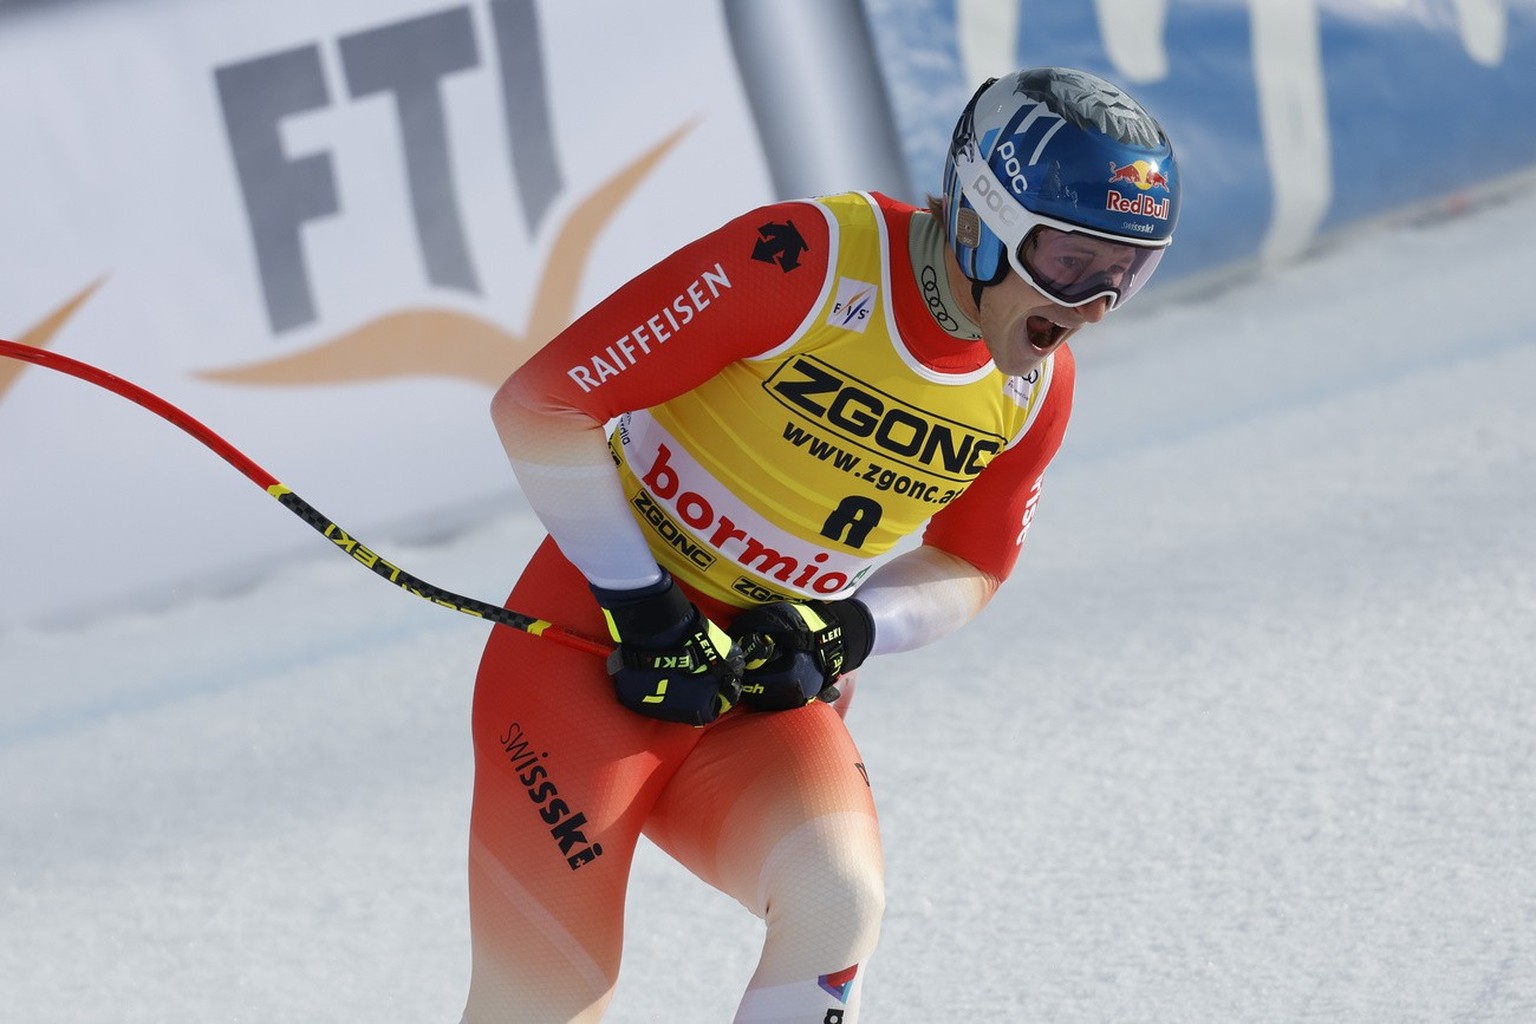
(446, 343)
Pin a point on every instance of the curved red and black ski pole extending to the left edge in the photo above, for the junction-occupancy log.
(302, 509)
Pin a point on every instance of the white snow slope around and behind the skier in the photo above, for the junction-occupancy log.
(1248, 738)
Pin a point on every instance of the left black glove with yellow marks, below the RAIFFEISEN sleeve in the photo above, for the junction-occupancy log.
(672, 662)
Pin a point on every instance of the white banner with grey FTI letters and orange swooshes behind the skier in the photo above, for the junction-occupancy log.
(328, 233)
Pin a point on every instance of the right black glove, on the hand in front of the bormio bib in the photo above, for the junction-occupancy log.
(796, 652)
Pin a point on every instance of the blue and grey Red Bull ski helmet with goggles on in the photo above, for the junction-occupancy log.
(1053, 151)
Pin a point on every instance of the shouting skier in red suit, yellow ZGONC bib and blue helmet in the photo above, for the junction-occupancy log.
(796, 394)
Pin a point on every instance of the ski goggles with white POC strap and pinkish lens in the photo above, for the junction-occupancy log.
(1071, 265)
